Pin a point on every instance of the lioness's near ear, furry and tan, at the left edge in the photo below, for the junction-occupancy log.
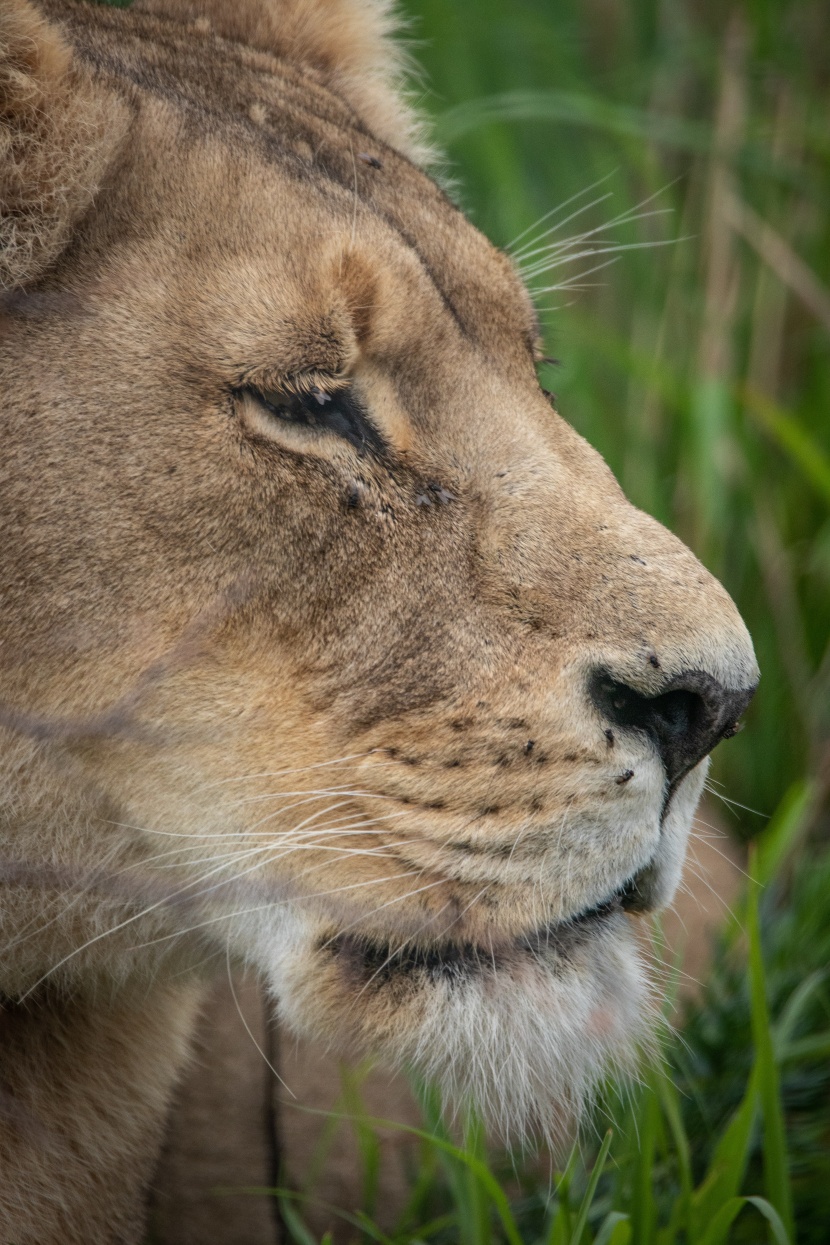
(58, 134)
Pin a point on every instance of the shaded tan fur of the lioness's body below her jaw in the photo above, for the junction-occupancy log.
(70, 1171)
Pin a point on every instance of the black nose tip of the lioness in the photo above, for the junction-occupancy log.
(685, 721)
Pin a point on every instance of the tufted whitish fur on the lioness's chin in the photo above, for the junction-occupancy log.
(525, 1036)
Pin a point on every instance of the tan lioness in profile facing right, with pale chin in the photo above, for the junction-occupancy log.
(328, 647)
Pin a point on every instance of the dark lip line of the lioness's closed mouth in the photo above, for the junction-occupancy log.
(380, 962)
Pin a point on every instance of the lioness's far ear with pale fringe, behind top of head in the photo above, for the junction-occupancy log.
(349, 42)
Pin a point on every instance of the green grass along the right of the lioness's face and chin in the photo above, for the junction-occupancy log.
(694, 135)
